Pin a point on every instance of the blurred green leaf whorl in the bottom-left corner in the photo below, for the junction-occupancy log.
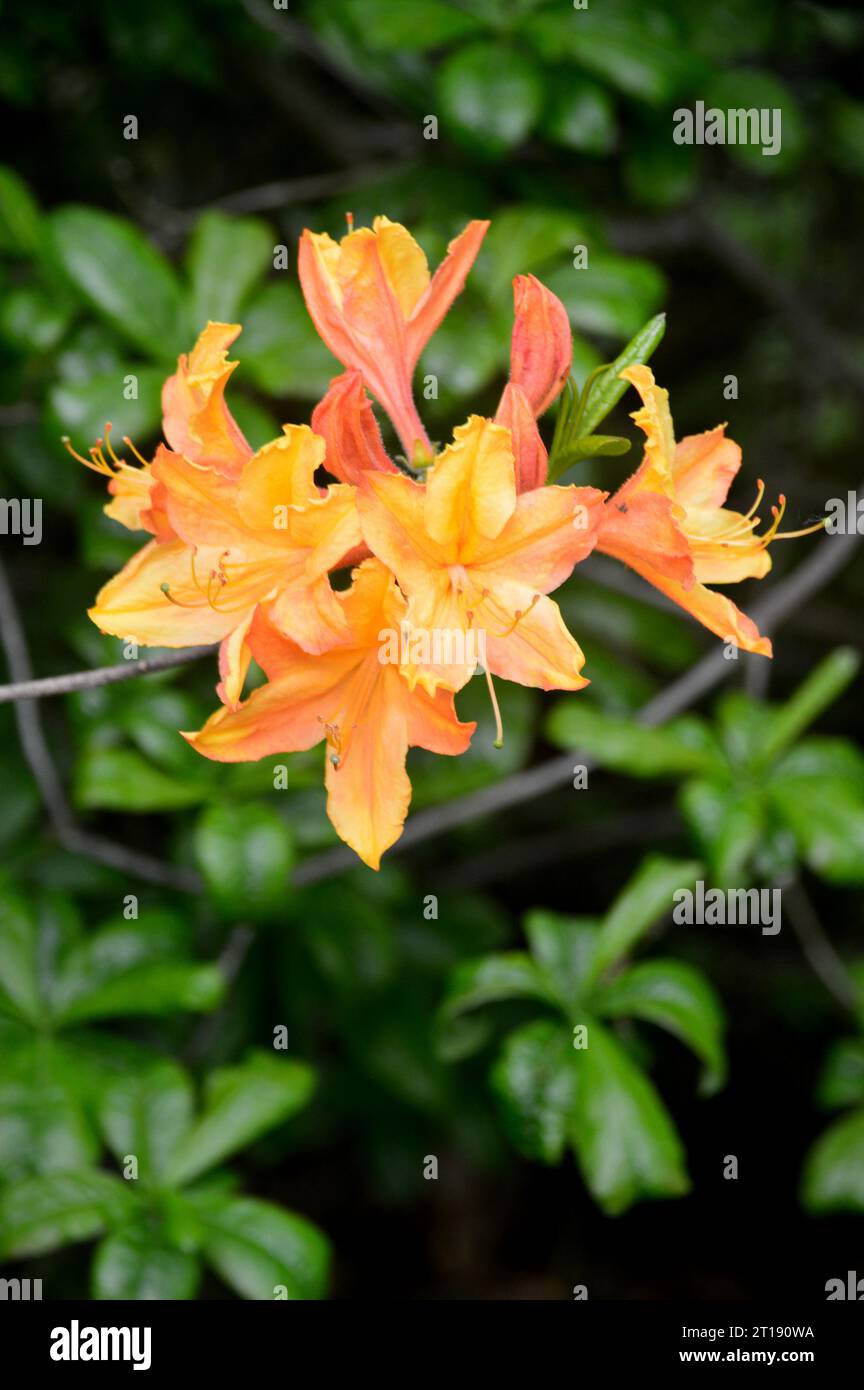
(160, 1221)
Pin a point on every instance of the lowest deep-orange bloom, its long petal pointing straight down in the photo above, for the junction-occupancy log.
(354, 700)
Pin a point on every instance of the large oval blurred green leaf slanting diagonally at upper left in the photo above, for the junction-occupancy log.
(123, 277)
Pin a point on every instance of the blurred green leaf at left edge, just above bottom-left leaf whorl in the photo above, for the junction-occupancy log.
(42, 1128)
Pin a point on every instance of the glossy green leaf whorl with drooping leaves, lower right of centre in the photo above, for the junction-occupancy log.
(572, 1082)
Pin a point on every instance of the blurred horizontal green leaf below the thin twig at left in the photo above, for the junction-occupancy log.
(120, 779)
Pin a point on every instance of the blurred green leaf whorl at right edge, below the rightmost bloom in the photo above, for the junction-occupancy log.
(755, 794)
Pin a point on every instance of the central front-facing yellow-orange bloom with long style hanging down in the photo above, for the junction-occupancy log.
(472, 558)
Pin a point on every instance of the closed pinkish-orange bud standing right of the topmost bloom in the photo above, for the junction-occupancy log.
(542, 343)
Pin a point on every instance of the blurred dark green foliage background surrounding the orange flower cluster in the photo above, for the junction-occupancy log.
(327, 1039)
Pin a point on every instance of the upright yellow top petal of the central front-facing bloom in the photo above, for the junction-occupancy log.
(472, 489)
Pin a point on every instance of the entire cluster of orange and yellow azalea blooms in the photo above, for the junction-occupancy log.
(466, 541)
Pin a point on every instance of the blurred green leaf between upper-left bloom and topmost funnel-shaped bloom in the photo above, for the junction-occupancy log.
(280, 351)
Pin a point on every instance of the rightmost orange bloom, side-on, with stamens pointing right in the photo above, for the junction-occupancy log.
(669, 521)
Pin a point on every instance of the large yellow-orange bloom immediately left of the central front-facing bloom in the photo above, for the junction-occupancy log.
(266, 537)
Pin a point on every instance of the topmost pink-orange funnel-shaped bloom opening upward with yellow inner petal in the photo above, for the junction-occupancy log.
(374, 304)
